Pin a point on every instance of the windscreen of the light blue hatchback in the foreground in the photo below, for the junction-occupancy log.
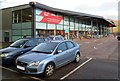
(46, 48)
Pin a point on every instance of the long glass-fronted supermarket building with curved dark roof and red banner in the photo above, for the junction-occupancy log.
(35, 19)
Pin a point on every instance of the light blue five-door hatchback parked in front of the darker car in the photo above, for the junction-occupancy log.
(46, 57)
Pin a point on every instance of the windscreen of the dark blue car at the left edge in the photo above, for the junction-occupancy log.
(19, 43)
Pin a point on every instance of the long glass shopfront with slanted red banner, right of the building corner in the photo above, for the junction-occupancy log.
(68, 24)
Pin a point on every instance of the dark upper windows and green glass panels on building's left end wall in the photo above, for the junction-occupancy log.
(21, 24)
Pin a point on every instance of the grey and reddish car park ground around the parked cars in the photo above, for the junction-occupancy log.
(99, 62)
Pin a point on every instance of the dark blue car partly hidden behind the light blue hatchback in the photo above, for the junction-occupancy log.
(18, 48)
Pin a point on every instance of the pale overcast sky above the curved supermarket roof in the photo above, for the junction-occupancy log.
(105, 8)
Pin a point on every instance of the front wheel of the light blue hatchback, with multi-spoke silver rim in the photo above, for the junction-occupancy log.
(49, 70)
